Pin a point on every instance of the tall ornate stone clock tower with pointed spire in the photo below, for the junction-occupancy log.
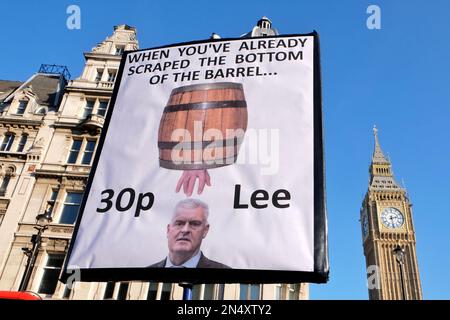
(387, 224)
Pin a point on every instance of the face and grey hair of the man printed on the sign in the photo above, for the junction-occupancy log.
(186, 231)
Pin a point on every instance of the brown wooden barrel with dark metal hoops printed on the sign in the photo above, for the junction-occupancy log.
(202, 126)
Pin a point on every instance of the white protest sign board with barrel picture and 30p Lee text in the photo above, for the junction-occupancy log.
(210, 160)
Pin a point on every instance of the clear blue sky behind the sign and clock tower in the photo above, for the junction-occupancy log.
(396, 78)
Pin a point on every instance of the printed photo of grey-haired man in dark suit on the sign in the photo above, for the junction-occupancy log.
(185, 232)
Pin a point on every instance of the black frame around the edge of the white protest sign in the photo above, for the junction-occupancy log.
(199, 275)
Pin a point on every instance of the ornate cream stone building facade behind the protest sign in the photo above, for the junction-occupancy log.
(49, 132)
